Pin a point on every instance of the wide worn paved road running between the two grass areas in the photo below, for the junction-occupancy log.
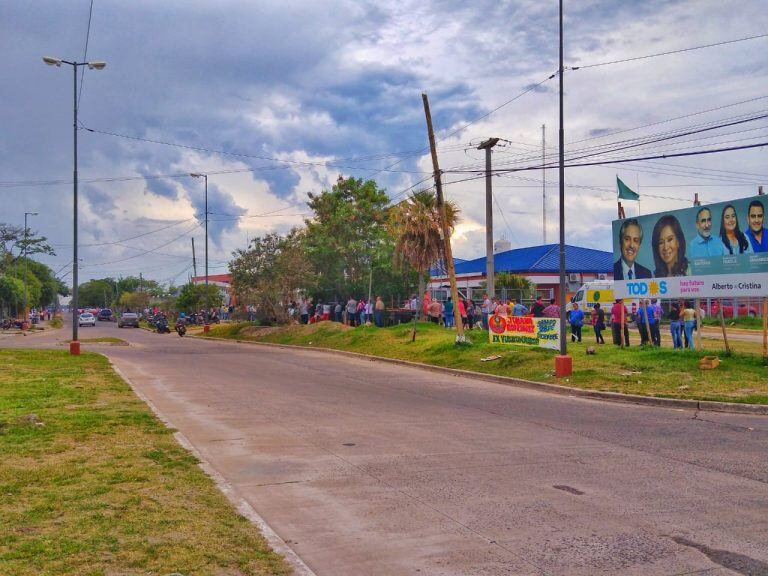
(366, 468)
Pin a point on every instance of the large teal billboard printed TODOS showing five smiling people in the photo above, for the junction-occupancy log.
(715, 250)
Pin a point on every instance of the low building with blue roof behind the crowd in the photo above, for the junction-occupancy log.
(539, 264)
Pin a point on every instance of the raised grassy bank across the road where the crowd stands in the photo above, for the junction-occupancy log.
(741, 377)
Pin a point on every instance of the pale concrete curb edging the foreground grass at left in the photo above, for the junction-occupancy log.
(277, 544)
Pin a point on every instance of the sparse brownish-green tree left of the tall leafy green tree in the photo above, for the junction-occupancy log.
(270, 273)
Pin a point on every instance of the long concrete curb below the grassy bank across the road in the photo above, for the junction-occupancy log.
(707, 405)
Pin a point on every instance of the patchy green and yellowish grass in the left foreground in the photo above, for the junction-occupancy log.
(91, 483)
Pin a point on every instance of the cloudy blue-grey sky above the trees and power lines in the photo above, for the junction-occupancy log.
(275, 99)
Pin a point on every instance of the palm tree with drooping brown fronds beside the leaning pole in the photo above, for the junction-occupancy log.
(415, 224)
